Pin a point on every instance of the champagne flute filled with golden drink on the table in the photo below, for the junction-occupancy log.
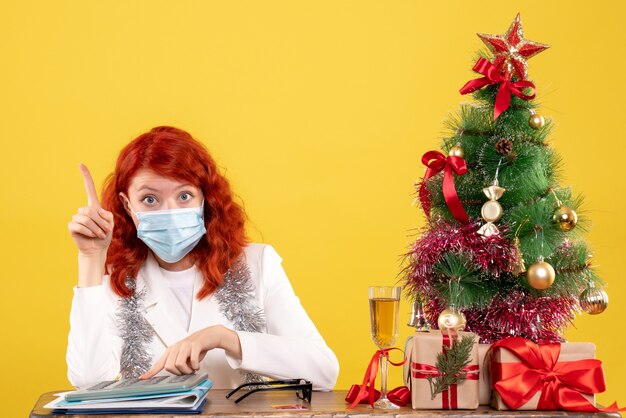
(384, 308)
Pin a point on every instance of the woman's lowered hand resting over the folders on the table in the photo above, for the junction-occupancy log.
(185, 356)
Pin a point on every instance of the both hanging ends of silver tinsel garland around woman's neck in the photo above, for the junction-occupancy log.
(235, 296)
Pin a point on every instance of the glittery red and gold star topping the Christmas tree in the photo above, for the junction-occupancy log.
(511, 50)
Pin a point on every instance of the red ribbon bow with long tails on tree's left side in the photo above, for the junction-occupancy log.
(436, 161)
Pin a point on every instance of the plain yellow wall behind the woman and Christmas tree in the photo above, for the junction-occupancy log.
(318, 112)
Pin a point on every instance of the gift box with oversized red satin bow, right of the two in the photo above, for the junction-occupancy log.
(529, 376)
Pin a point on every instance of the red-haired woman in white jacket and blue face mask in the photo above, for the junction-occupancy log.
(166, 280)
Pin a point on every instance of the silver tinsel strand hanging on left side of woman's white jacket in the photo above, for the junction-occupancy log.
(136, 334)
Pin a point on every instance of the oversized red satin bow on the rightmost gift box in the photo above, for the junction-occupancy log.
(561, 383)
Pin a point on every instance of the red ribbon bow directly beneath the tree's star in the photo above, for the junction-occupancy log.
(493, 76)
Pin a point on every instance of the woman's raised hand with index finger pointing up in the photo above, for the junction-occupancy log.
(92, 229)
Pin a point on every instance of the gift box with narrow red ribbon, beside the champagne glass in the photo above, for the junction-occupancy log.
(426, 346)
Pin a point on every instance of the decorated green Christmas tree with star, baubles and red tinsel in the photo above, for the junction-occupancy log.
(502, 252)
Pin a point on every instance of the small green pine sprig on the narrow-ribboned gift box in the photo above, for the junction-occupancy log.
(450, 366)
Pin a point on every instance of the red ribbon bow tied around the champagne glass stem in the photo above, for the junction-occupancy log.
(366, 392)
